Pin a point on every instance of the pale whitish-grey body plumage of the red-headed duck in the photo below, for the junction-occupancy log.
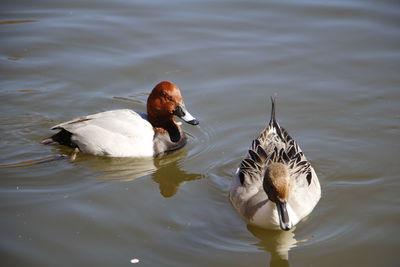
(116, 133)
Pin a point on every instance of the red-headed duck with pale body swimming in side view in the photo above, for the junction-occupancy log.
(126, 133)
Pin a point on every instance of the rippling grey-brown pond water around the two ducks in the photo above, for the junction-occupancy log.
(334, 67)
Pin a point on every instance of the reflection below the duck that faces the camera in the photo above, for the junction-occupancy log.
(278, 243)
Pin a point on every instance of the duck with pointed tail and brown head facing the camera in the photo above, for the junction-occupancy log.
(275, 186)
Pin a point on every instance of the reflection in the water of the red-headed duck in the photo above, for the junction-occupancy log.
(165, 170)
